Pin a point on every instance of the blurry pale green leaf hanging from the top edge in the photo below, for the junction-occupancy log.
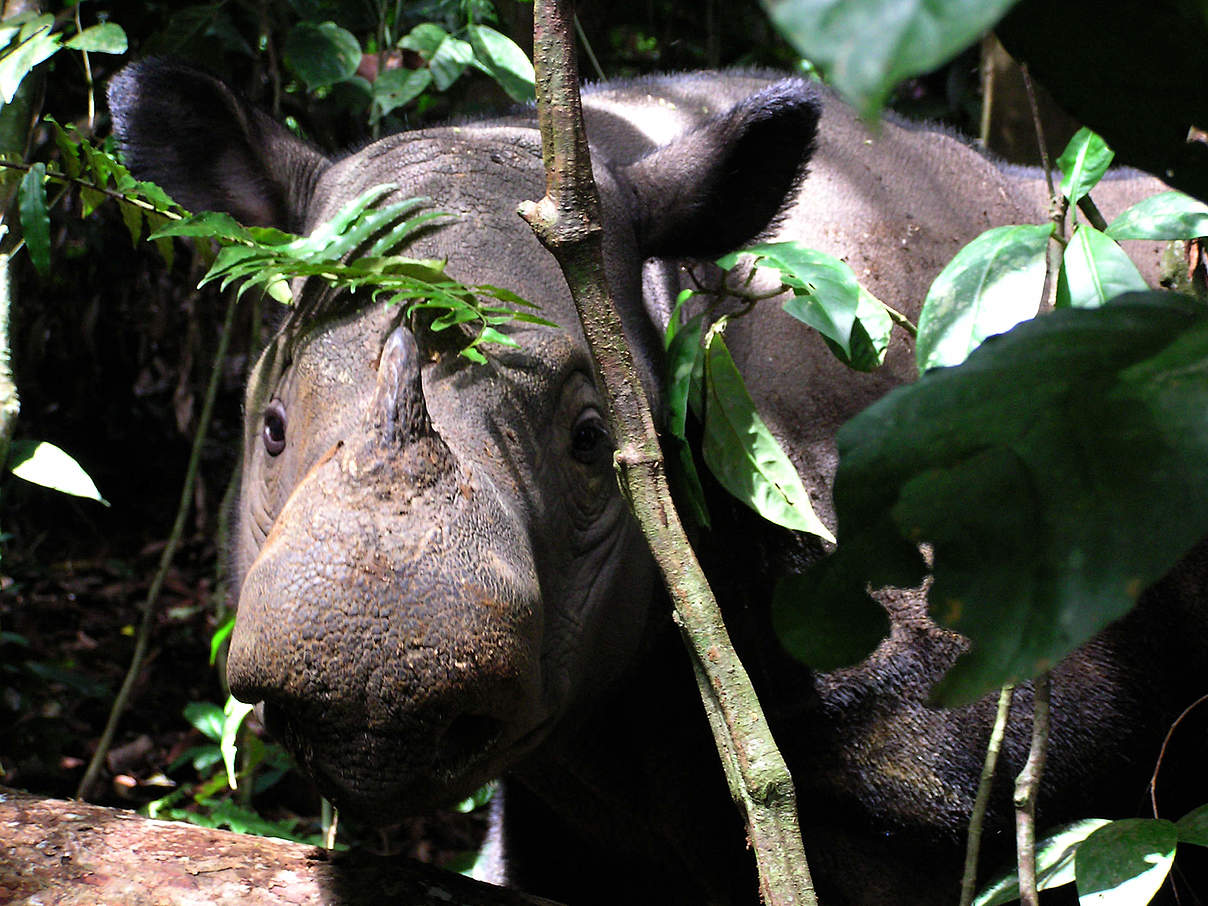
(866, 48)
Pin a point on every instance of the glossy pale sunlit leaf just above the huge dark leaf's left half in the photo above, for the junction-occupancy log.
(990, 287)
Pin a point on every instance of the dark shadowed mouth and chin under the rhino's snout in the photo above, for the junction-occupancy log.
(380, 777)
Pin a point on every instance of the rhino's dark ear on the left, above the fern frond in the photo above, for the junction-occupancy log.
(208, 148)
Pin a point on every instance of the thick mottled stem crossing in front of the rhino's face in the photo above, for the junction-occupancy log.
(567, 222)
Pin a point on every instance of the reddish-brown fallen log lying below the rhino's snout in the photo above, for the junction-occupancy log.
(71, 853)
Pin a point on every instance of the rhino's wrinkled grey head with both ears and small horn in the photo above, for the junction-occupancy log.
(434, 561)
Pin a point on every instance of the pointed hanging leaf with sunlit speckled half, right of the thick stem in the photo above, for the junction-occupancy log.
(745, 456)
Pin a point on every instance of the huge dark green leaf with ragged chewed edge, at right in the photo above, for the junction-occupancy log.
(1020, 467)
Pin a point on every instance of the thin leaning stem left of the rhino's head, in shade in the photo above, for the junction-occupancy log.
(143, 641)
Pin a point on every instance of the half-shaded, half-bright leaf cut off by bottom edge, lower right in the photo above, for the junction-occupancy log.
(1125, 863)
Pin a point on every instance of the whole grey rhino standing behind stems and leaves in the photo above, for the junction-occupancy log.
(440, 582)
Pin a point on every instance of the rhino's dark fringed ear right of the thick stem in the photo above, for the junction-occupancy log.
(721, 185)
